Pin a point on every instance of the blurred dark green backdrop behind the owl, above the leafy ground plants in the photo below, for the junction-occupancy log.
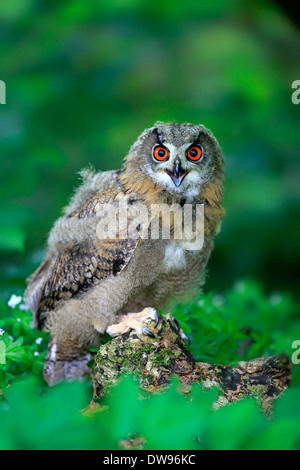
(85, 78)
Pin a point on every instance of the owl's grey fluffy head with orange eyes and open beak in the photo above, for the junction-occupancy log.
(182, 158)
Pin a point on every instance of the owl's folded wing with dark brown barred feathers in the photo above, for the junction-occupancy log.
(72, 269)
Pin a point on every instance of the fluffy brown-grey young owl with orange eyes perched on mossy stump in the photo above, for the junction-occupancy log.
(99, 277)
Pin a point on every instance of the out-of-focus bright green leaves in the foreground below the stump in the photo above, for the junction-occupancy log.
(54, 420)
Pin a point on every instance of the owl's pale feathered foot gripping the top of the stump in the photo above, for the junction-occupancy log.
(134, 321)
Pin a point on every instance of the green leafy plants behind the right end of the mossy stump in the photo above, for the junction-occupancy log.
(219, 325)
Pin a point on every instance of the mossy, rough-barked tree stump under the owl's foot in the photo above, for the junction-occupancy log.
(154, 360)
